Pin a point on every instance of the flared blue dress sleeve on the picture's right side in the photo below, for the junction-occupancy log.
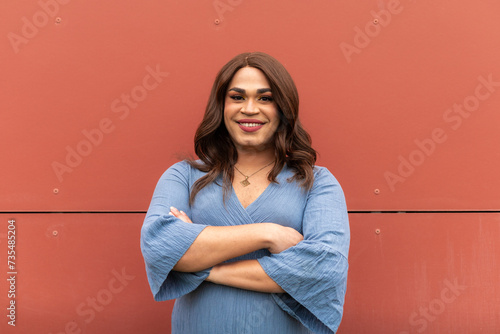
(314, 272)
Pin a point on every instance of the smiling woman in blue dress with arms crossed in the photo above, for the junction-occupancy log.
(251, 238)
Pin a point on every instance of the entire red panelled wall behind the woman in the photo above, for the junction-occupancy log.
(401, 99)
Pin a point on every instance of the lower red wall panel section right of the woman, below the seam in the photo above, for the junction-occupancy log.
(423, 273)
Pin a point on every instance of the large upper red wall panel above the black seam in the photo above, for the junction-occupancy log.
(89, 111)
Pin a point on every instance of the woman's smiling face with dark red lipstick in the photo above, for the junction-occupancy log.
(250, 113)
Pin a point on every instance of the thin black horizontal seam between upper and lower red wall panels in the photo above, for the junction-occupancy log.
(144, 212)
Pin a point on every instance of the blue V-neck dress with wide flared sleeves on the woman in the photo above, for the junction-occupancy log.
(313, 273)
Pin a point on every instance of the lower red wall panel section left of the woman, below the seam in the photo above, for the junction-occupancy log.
(78, 273)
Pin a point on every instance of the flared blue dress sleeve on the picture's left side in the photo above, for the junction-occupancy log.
(165, 238)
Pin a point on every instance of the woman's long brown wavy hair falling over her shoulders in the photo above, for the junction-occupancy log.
(215, 148)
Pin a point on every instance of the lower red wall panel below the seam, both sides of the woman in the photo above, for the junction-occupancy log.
(409, 273)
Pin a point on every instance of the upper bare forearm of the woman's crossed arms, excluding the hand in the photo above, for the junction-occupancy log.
(216, 244)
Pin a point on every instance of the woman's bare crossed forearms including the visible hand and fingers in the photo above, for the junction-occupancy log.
(216, 244)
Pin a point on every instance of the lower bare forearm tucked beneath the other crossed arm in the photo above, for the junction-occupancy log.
(247, 274)
